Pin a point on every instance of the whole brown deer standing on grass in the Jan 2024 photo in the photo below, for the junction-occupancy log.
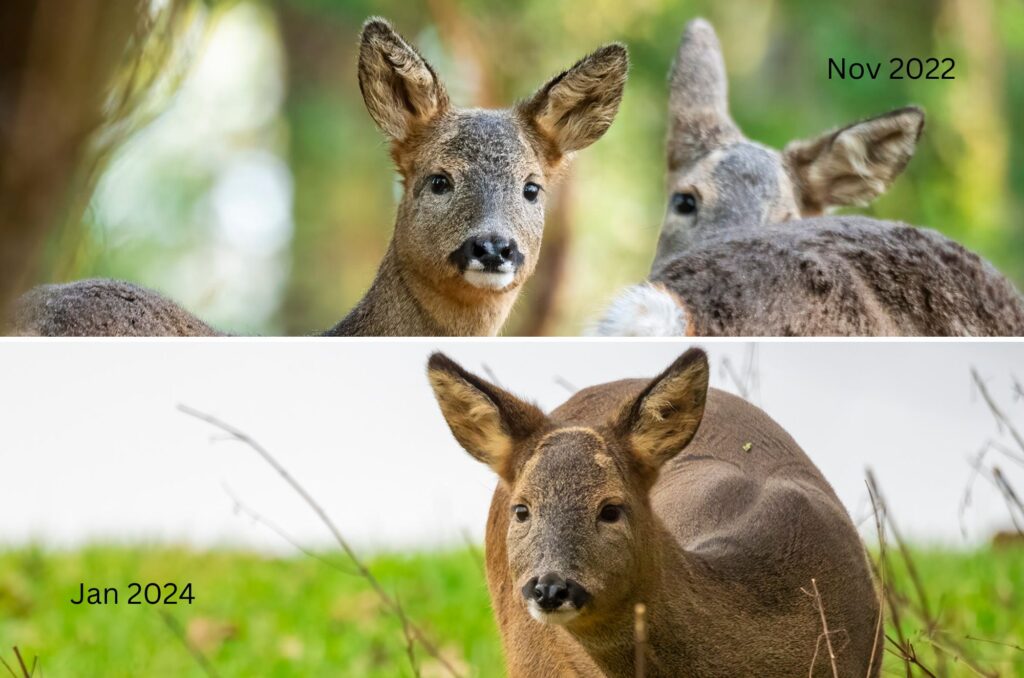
(666, 493)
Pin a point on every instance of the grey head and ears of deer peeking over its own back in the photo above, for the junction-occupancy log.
(718, 180)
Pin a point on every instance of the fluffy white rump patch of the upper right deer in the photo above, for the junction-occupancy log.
(643, 311)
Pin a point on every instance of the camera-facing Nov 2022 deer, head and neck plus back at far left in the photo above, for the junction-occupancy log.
(470, 224)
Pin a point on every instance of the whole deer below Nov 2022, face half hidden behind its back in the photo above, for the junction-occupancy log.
(745, 251)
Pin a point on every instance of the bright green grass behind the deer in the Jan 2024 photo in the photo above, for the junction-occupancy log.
(258, 616)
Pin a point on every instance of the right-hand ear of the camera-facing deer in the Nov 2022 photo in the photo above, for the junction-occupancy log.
(576, 108)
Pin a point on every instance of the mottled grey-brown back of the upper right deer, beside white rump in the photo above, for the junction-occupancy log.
(842, 276)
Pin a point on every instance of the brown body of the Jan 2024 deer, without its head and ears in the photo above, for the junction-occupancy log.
(755, 521)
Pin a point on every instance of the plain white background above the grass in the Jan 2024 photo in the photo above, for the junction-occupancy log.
(95, 449)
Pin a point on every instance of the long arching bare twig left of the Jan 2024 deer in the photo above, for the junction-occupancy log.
(390, 603)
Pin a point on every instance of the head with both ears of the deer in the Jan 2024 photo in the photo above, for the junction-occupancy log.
(581, 529)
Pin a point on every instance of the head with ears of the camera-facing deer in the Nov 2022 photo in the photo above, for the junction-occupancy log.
(476, 182)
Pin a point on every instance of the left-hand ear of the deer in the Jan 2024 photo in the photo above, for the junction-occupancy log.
(485, 419)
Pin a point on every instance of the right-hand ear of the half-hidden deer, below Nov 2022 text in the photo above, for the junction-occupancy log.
(854, 165)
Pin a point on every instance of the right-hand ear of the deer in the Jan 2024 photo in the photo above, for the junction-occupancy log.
(664, 418)
